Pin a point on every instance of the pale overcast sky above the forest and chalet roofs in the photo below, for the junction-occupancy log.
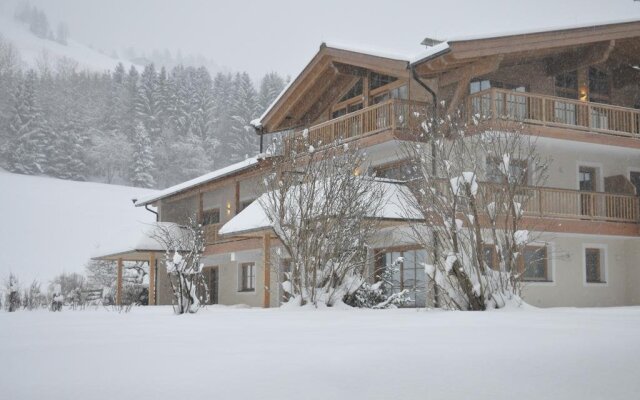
(282, 35)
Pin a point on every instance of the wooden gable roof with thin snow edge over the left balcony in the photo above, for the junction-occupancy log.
(321, 76)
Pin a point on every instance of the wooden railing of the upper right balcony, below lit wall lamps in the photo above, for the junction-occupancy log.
(555, 111)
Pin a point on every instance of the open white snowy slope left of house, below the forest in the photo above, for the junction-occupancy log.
(48, 225)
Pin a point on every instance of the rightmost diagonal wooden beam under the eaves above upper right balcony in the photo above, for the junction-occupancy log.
(581, 58)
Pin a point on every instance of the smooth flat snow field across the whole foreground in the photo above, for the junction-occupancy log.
(226, 353)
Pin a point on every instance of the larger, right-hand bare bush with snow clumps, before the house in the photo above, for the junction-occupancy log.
(473, 229)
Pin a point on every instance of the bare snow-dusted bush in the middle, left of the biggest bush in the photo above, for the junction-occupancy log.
(319, 210)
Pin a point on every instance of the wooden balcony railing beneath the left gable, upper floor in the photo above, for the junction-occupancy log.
(392, 114)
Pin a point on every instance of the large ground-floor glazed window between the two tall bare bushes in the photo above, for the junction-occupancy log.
(408, 272)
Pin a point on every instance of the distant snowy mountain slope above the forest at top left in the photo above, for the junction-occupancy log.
(31, 48)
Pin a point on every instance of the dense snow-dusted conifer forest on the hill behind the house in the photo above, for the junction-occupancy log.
(146, 127)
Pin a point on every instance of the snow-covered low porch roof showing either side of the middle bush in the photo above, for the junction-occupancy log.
(394, 207)
